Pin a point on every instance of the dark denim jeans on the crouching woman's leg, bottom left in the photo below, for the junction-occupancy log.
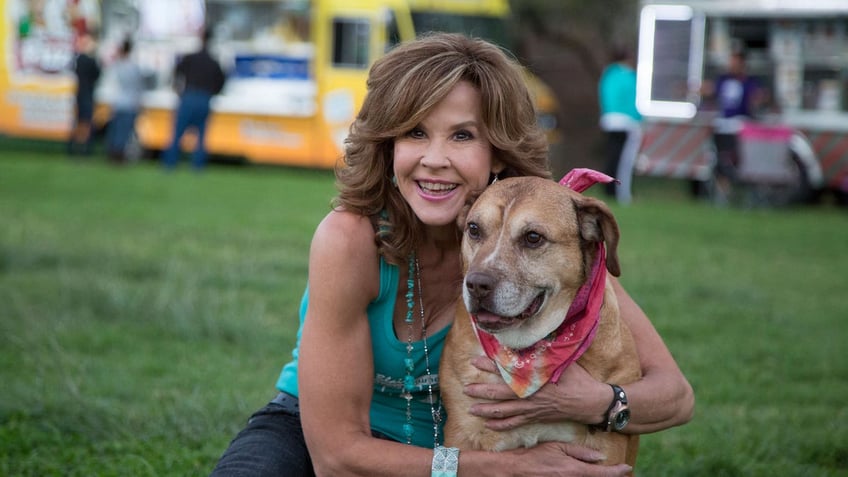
(272, 444)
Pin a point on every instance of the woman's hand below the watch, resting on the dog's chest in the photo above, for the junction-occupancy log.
(576, 397)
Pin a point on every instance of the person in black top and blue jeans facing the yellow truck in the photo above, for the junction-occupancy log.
(197, 78)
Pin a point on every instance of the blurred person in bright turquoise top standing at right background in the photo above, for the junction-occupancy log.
(620, 121)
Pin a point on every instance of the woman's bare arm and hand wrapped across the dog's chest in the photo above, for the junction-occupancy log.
(662, 398)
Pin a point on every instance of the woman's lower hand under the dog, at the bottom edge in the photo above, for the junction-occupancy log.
(562, 459)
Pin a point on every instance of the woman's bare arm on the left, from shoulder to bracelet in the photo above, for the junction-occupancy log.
(335, 370)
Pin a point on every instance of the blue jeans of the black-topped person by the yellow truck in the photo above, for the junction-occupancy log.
(193, 111)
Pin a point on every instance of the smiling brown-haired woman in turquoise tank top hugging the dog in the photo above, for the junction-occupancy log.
(445, 115)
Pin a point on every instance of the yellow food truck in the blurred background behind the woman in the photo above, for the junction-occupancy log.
(296, 68)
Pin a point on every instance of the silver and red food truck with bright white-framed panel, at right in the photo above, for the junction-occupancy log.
(796, 145)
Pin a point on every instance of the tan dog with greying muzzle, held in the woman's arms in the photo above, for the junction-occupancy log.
(528, 246)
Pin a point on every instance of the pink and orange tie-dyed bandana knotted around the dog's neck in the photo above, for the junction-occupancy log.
(526, 370)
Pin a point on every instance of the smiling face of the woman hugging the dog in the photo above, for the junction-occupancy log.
(444, 158)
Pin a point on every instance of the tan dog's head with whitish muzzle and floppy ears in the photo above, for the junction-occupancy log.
(528, 245)
